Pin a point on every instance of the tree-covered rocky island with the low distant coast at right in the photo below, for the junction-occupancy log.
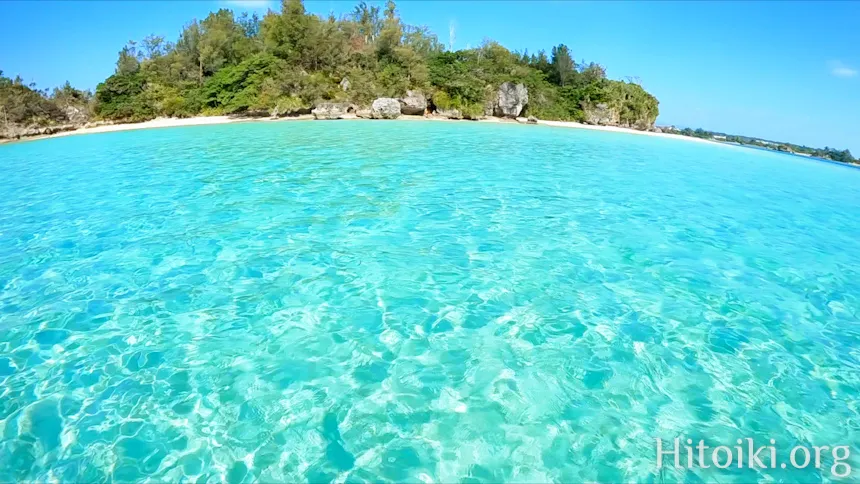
(291, 63)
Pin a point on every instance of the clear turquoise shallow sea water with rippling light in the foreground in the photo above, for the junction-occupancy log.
(410, 301)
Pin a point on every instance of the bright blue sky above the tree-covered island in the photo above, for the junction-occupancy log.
(784, 71)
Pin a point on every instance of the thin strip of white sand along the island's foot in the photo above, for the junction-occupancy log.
(212, 120)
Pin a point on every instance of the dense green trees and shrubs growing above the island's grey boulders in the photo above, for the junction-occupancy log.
(284, 62)
